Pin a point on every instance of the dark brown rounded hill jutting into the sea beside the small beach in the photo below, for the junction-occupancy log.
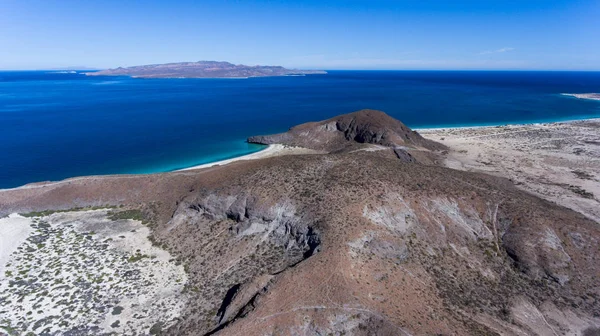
(365, 126)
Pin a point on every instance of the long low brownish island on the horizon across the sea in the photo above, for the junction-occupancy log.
(203, 69)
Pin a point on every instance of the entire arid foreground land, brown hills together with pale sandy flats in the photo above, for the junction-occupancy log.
(489, 231)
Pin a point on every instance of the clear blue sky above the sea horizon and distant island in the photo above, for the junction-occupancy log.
(343, 34)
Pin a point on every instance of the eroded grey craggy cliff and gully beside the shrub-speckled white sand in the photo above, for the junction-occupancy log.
(257, 241)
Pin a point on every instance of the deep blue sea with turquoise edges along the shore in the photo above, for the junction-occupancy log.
(56, 125)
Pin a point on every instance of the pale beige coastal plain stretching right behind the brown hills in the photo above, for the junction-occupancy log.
(559, 162)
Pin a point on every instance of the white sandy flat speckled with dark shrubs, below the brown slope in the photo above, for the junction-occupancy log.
(81, 272)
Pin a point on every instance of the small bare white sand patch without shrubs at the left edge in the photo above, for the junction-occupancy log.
(14, 229)
